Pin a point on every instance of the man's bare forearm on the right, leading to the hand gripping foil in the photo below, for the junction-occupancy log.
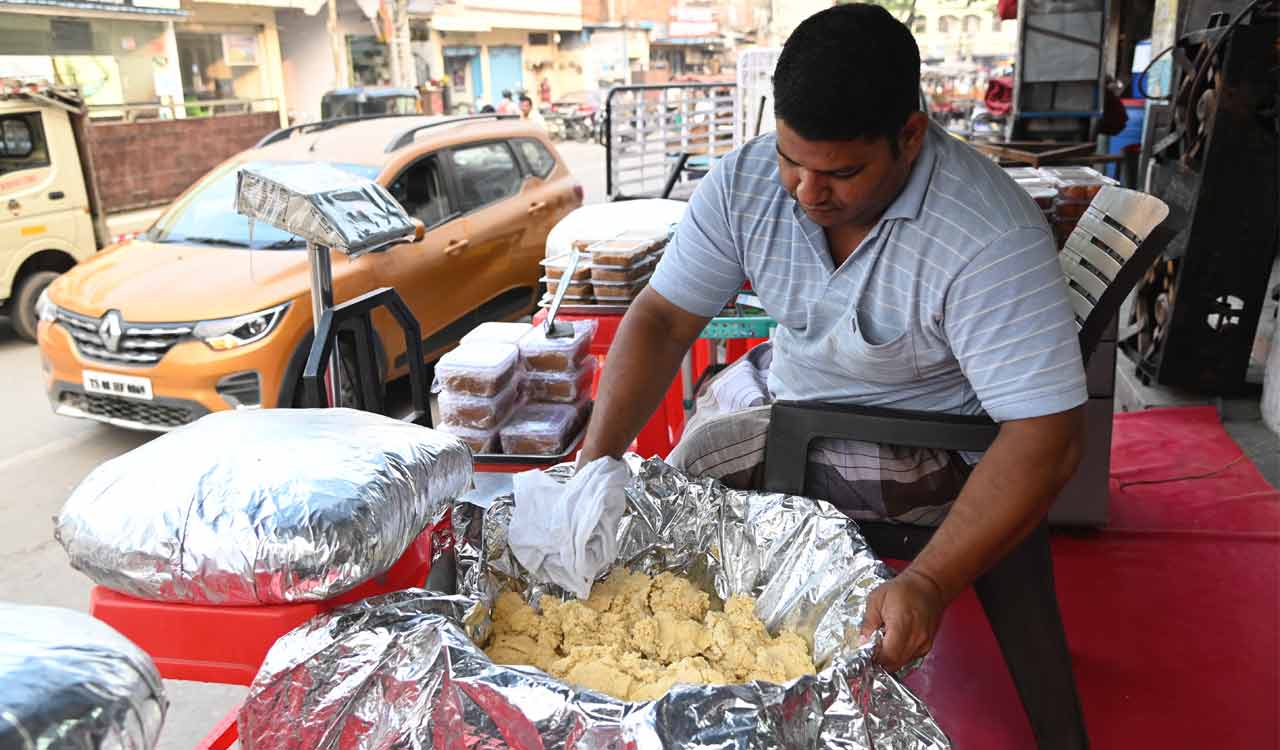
(1004, 500)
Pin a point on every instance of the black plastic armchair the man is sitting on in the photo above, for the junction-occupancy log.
(1116, 243)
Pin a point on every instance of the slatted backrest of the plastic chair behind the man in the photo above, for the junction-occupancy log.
(1116, 243)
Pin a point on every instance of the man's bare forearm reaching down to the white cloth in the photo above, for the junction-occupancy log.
(643, 360)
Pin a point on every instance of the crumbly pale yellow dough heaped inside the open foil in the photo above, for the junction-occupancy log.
(637, 637)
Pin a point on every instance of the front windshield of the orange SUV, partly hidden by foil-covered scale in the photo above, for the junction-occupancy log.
(208, 214)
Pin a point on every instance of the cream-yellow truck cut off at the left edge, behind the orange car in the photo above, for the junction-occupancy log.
(51, 213)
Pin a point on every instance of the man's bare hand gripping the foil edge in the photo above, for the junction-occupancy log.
(911, 609)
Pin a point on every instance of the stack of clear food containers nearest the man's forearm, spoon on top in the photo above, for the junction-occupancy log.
(559, 374)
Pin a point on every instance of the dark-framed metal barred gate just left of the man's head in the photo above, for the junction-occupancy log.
(659, 135)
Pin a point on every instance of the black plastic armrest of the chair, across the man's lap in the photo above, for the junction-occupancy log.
(794, 426)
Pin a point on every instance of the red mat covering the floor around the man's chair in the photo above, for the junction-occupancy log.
(1173, 614)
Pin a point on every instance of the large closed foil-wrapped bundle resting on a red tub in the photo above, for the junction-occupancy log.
(262, 507)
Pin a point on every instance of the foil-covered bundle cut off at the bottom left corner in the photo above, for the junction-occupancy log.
(68, 682)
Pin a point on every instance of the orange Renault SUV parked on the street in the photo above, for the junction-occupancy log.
(207, 313)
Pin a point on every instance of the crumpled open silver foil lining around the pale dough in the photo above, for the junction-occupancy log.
(404, 670)
